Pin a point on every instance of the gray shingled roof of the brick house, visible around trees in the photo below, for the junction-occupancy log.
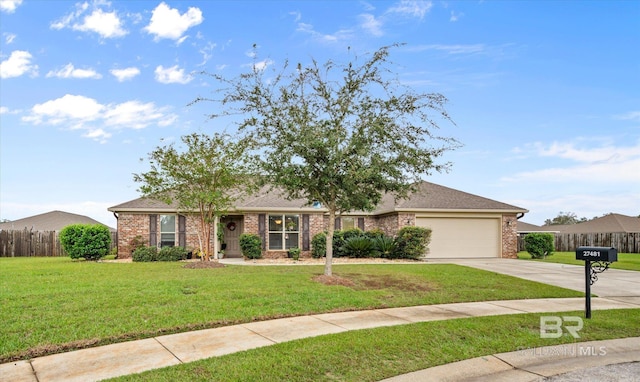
(429, 197)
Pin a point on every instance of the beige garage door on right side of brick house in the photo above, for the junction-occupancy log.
(462, 237)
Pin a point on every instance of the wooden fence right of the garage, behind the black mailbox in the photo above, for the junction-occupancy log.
(568, 242)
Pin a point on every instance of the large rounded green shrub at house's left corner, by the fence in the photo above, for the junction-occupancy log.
(91, 241)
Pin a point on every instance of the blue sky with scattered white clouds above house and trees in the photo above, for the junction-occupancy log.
(545, 95)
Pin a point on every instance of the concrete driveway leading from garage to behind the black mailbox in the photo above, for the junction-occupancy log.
(613, 283)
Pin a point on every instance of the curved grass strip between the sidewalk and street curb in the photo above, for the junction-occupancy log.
(375, 354)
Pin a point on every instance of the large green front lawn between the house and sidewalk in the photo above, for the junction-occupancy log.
(51, 305)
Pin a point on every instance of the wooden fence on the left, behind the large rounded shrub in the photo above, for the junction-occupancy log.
(25, 243)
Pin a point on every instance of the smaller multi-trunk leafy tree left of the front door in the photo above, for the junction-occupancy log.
(206, 177)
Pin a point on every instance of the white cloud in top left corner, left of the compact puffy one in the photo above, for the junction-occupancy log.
(106, 24)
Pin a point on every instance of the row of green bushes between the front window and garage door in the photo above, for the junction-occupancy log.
(410, 243)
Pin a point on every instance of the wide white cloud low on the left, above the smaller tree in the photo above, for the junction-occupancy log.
(80, 112)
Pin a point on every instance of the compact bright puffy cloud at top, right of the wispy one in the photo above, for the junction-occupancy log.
(168, 23)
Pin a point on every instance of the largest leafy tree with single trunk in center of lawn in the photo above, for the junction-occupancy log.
(338, 134)
